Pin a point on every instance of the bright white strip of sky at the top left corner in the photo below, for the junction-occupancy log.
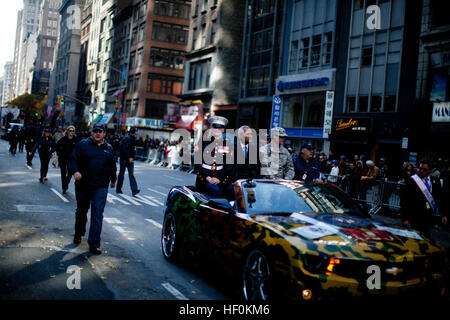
(8, 23)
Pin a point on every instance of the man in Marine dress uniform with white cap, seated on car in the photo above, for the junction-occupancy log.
(214, 172)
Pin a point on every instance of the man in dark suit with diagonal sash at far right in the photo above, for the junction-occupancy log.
(421, 201)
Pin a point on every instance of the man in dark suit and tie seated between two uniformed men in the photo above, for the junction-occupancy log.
(246, 151)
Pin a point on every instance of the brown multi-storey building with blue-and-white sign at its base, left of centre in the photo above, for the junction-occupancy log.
(155, 70)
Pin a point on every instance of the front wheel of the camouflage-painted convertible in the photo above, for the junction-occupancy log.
(256, 277)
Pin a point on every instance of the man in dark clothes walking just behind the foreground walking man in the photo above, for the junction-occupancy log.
(127, 156)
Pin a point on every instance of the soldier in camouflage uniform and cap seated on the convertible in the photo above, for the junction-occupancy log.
(276, 161)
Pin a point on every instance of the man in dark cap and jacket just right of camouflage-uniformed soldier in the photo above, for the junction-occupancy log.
(306, 167)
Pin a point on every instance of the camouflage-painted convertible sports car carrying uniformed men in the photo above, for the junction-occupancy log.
(301, 241)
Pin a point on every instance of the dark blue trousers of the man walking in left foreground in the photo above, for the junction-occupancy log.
(96, 199)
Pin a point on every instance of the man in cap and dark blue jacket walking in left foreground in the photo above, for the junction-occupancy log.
(94, 167)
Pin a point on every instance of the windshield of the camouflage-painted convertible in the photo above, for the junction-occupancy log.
(287, 197)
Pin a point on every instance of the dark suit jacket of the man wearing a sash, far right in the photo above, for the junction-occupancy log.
(414, 205)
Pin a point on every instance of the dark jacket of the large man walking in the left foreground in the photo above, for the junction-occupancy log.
(95, 163)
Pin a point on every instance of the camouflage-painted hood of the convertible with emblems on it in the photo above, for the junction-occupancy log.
(348, 236)
